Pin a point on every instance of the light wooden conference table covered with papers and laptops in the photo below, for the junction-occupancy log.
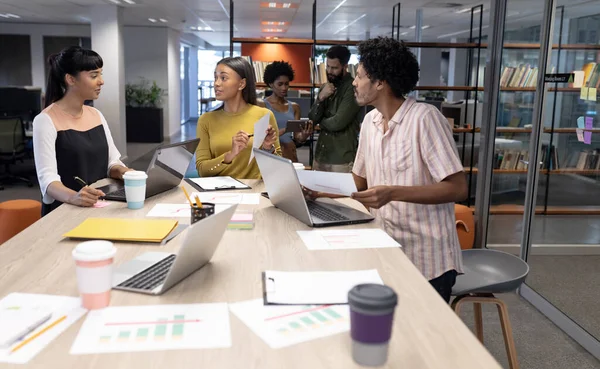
(426, 333)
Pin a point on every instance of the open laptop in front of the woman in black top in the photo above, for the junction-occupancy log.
(165, 170)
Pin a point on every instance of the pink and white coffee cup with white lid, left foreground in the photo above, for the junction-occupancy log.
(94, 269)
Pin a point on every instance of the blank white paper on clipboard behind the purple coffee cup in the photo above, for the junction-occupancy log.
(315, 287)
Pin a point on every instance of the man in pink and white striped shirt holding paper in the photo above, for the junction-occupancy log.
(407, 169)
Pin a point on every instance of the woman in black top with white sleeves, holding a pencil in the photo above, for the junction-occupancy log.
(71, 139)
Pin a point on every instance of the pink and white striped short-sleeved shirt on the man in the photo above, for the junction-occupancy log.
(417, 150)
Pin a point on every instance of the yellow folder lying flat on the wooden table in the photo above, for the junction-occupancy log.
(140, 230)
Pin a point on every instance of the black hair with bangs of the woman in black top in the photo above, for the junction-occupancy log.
(71, 60)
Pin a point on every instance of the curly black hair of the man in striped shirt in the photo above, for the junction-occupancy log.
(386, 59)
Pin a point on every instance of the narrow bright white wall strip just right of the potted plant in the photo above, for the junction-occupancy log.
(173, 125)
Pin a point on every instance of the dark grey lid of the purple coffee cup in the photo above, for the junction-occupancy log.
(370, 296)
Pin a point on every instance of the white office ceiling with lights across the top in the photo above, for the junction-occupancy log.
(372, 17)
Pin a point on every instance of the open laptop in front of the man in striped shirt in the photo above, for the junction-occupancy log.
(285, 192)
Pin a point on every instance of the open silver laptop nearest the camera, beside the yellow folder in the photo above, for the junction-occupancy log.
(154, 273)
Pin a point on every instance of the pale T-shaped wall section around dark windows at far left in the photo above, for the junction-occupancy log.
(37, 33)
